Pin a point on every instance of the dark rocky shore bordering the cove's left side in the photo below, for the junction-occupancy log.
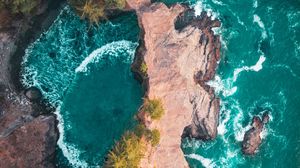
(27, 138)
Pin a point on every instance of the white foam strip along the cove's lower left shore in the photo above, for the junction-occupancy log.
(68, 150)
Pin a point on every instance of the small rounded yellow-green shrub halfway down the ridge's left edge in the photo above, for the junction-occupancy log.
(154, 107)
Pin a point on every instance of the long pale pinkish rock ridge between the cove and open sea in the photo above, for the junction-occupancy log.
(181, 54)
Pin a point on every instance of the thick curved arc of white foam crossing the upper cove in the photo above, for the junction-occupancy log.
(108, 48)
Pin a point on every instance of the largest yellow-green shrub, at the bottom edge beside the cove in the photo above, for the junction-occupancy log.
(127, 153)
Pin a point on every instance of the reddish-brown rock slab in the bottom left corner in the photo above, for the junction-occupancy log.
(36, 140)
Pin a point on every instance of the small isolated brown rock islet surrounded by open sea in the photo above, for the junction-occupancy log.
(252, 138)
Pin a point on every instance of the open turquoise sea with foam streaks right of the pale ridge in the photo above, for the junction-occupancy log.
(259, 71)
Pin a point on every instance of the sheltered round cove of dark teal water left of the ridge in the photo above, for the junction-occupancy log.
(84, 71)
